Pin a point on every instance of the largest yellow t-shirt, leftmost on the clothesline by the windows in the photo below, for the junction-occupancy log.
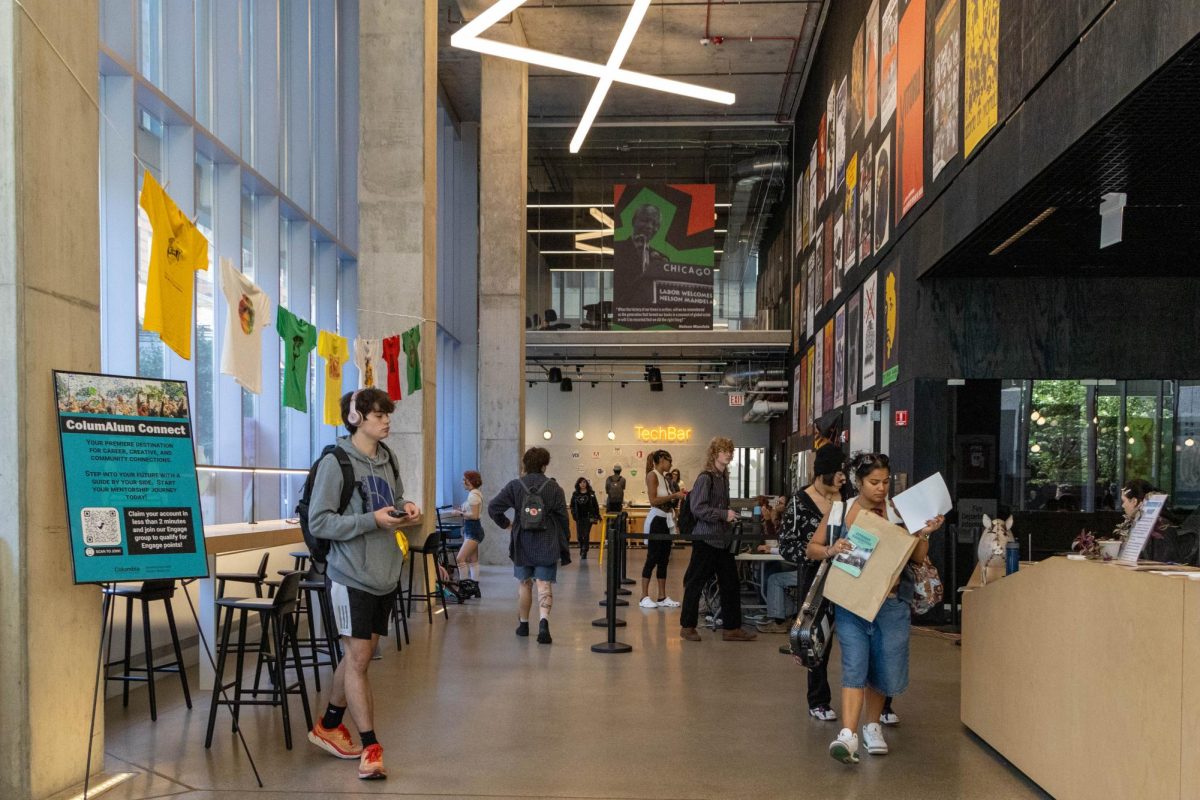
(177, 251)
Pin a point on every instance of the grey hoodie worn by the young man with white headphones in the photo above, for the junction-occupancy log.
(362, 555)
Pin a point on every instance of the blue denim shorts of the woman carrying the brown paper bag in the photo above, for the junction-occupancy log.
(875, 654)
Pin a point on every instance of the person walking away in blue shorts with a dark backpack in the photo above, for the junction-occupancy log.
(539, 543)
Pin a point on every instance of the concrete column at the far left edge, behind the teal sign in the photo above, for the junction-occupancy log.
(50, 318)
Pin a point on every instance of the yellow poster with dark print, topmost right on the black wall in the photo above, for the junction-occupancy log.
(980, 86)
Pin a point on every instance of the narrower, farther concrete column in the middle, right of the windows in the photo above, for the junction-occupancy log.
(503, 160)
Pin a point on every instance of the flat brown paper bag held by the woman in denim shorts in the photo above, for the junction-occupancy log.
(865, 596)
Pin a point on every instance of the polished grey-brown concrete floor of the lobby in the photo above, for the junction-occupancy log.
(470, 711)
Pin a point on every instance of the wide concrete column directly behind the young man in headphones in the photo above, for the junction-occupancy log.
(398, 214)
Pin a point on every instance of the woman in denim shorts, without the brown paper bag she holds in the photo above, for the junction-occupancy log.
(874, 655)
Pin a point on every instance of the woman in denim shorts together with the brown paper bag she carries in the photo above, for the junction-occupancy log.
(874, 645)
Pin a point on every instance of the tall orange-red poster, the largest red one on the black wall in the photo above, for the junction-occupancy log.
(911, 109)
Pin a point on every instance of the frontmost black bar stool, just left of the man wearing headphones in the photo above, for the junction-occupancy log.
(278, 616)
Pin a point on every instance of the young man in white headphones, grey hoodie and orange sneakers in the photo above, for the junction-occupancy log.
(351, 508)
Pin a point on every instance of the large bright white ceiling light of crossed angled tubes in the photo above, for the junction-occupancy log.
(469, 39)
